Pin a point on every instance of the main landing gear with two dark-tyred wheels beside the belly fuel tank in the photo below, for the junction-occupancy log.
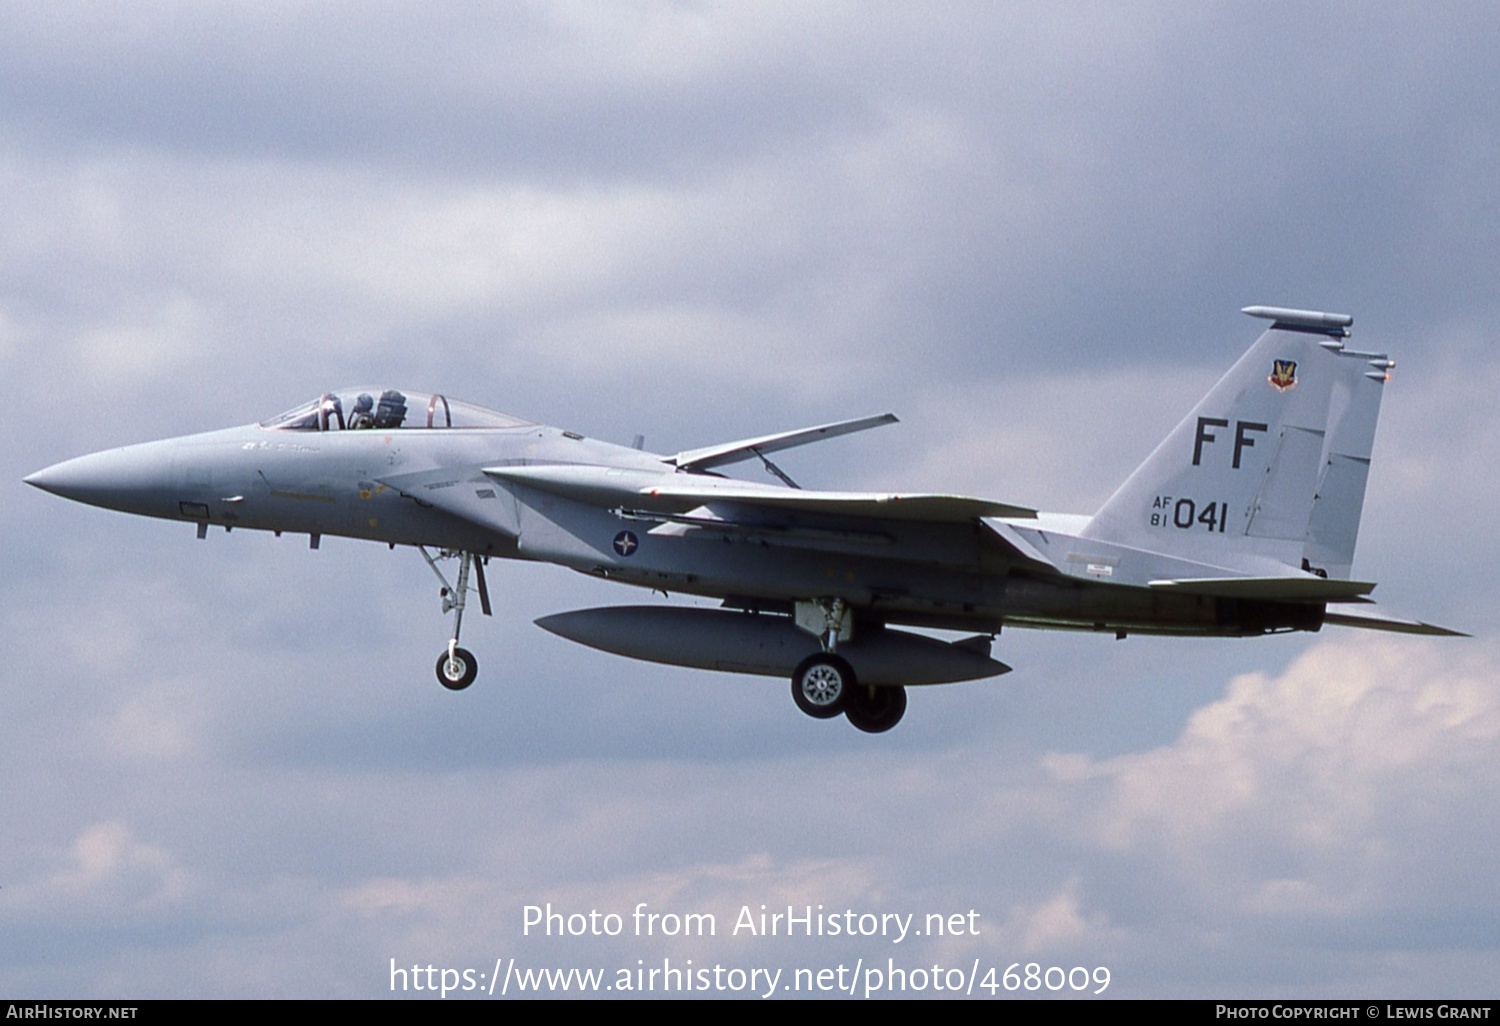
(824, 685)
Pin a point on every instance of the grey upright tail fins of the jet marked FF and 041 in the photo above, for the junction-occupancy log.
(1271, 464)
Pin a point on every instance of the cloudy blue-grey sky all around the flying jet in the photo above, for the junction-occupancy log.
(226, 767)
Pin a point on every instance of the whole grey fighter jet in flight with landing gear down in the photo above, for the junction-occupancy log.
(1241, 523)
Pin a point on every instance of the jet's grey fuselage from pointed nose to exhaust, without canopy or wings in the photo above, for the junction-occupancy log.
(430, 487)
